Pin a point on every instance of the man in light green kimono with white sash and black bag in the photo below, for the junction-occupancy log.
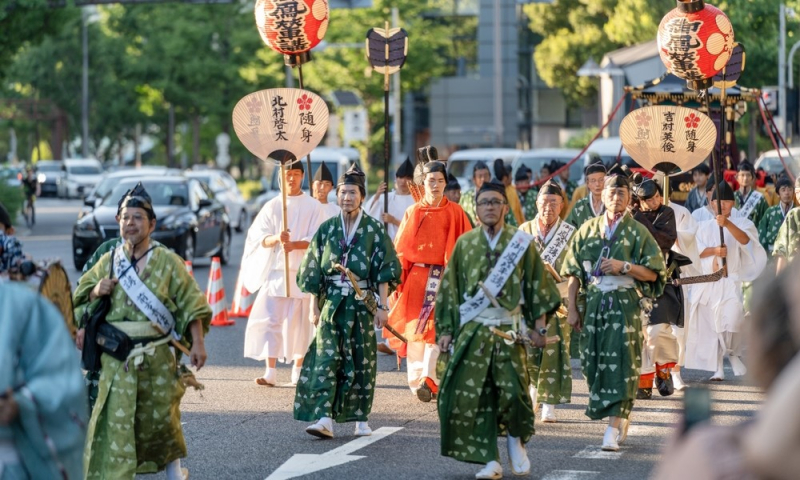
(137, 429)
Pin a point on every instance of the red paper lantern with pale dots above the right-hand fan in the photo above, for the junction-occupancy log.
(695, 41)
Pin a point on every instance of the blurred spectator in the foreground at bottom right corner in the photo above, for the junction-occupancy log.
(766, 446)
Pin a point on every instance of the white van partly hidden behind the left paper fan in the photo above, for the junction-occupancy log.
(338, 160)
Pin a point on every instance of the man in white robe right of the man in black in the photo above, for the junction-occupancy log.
(718, 307)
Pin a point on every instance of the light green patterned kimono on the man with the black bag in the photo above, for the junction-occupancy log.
(136, 422)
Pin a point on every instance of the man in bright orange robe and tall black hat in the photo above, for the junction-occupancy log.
(424, 242)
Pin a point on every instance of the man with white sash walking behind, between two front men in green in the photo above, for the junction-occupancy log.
(549, 368)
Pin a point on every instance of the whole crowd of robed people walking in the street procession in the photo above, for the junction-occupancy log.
(488, 294)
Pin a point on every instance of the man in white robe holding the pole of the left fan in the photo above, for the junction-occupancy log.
(278, 326)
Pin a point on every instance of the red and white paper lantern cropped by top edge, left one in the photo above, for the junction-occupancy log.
(292, 27)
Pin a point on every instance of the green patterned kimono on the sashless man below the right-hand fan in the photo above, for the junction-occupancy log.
(611, 339)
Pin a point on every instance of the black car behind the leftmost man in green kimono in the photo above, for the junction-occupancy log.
(189, 220)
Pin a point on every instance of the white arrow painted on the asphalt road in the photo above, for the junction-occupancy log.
(304, 463)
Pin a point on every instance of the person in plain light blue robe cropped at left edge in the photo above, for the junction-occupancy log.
(43, 412)
